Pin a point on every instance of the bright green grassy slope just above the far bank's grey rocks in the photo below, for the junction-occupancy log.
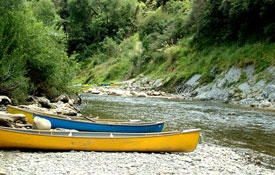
(178, 63)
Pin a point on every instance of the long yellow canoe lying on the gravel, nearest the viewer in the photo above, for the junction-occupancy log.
(185, 141)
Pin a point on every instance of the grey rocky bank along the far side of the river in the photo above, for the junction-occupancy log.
(238, 86)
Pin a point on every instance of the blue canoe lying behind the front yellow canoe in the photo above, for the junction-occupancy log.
(102, 126)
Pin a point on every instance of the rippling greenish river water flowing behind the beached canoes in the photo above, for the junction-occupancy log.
(250, 131)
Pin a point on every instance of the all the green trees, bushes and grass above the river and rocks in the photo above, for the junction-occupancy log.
(45, 43)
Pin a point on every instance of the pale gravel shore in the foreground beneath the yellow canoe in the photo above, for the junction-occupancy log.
(206, 159)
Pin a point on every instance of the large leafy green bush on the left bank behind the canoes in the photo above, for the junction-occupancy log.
(32, 55)
